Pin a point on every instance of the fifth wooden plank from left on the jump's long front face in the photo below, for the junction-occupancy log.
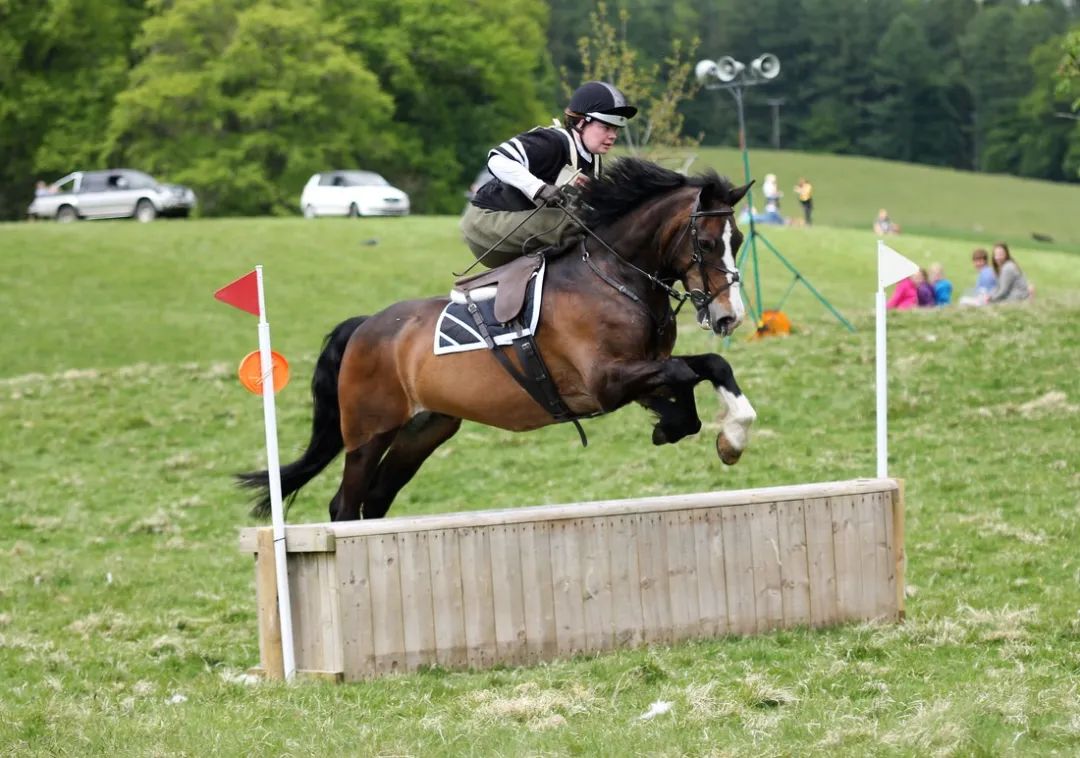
(477, 592)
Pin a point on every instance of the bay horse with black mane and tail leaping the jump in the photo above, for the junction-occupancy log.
(606, 333)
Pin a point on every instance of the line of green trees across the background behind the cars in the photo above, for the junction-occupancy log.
(244, 100)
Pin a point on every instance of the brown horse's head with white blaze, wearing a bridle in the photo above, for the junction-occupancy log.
(706, 255)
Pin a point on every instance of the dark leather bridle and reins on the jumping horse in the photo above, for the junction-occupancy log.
(700, 299)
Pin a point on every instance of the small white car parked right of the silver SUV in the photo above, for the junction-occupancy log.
(352, 194)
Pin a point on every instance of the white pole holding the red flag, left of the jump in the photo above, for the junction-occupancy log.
(274, 472)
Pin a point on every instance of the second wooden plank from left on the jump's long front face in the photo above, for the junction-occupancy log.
(389, 626)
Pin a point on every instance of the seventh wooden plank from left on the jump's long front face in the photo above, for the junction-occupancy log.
(539, 601)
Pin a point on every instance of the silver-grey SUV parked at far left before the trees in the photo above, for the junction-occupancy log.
(114, 194)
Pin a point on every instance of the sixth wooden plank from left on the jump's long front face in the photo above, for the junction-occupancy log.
(508, 594)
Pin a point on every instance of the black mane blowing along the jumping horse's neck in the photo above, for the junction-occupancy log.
(630, 182)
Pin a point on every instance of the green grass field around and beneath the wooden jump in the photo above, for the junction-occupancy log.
(127, 613)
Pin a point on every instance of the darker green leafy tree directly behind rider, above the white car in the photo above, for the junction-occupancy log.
(463, 77)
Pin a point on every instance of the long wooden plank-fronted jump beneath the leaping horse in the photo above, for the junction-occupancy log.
(522, 586)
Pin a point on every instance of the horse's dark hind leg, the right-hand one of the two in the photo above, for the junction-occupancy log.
(416, 441)
